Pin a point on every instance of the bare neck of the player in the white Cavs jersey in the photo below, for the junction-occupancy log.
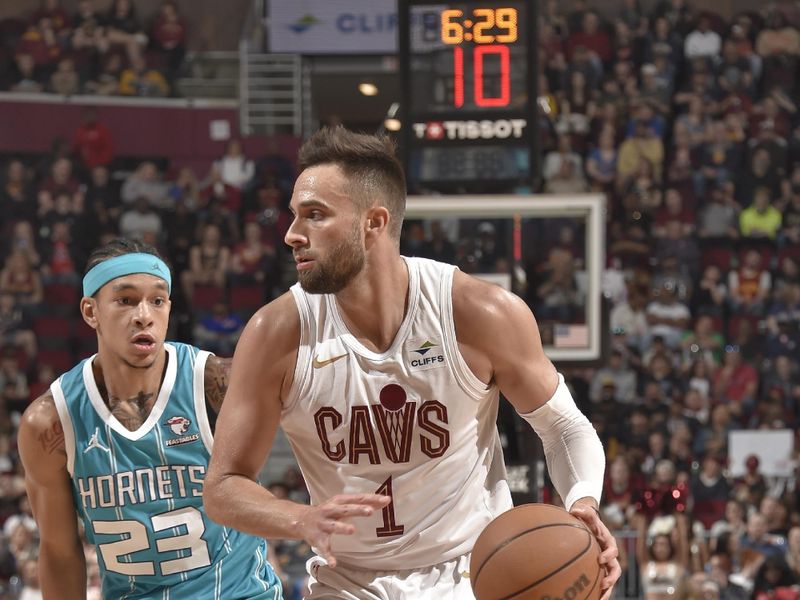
(374, 305)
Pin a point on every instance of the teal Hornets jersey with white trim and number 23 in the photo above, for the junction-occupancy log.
(140, 493)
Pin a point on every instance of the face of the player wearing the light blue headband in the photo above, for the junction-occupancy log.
(131, 315)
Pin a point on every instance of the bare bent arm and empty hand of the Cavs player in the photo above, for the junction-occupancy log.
(261, 376)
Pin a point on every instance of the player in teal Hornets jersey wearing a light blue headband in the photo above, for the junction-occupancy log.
(123, 440)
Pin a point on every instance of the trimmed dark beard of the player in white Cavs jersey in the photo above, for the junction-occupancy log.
(333, 273)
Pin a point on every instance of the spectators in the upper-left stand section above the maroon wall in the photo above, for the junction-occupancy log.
(104, 50)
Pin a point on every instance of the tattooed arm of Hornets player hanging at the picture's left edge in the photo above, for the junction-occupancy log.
(62, 565)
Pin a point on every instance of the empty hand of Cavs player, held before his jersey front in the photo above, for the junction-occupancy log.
(332, 517)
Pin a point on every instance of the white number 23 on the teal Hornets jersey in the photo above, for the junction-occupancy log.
(136, 540)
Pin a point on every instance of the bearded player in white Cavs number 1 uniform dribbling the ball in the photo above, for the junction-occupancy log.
(385, 373)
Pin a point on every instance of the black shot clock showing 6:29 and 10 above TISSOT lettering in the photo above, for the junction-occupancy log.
(468, 94)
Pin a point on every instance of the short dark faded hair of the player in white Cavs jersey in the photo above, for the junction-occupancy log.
(370, 164)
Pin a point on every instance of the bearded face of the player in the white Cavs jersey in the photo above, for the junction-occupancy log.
(326, 236)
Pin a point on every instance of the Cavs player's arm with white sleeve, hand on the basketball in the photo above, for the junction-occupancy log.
(499, 338)
